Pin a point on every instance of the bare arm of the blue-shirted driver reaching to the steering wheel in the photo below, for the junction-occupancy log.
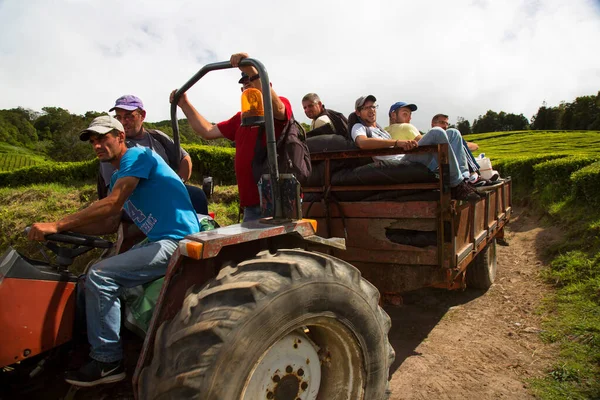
(97, 214)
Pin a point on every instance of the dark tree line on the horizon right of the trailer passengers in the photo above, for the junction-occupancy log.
(581, 114)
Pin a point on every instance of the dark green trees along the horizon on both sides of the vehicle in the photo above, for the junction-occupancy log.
(54, 130)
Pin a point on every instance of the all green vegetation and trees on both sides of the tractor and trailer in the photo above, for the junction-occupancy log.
(555, 167)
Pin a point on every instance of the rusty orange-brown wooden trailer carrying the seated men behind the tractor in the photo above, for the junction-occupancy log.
(461, 250)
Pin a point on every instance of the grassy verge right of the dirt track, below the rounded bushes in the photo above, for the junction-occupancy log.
(573, 312)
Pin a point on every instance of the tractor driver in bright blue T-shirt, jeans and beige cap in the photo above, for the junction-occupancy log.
(154, 197)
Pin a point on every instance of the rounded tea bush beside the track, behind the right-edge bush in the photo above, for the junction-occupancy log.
(553, 177)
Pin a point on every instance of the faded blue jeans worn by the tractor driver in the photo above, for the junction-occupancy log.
(103, 285)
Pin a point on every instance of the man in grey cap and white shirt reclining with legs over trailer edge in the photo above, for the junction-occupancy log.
(368, 135)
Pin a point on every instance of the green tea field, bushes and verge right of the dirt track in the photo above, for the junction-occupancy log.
(558, 173)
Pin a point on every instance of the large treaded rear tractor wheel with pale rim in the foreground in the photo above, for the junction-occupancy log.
(285, 326)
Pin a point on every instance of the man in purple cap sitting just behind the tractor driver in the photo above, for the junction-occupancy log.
(130, 112)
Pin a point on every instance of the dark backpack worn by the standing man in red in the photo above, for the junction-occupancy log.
(293, 156)
